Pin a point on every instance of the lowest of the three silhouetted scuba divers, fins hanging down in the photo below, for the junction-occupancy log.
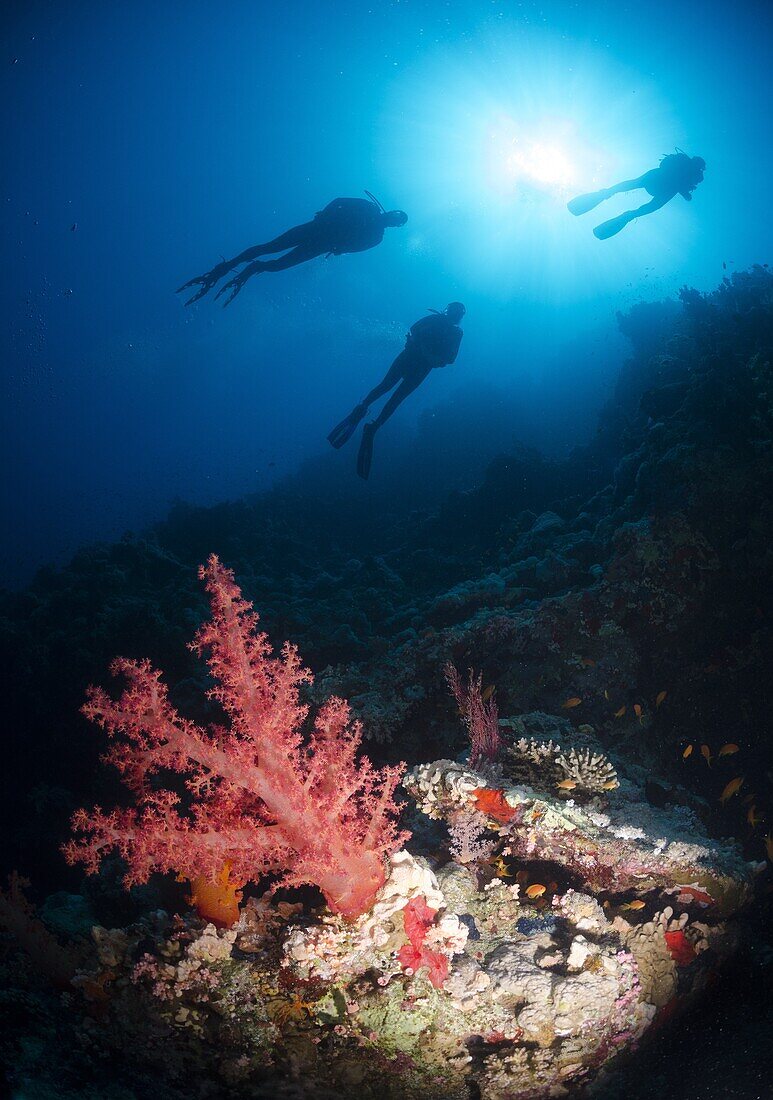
(434, 342)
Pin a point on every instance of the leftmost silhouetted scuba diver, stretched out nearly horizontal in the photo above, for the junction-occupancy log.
(344, 226)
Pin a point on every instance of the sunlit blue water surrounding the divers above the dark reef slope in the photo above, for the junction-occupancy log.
(145, 141)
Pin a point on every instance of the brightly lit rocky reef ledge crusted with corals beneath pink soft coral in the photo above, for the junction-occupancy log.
(555, 919)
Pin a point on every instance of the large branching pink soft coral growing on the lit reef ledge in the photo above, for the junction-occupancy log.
(261, 799)
